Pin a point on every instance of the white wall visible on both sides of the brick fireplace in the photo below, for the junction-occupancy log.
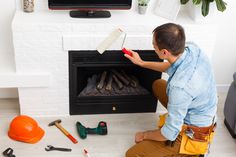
(224, 58)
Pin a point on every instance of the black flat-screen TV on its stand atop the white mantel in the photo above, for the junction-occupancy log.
(89, 8)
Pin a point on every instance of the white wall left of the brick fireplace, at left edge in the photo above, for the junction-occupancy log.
(6, 47)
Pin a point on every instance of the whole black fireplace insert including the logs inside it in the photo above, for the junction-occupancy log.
(89, 66)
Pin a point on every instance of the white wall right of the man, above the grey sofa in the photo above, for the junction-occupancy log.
(224, 57)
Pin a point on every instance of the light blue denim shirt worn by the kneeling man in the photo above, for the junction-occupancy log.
(191, 90)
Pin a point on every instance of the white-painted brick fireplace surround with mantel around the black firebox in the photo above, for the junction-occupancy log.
(42, 40)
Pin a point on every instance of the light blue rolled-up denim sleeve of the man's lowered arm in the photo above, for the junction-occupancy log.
(178, 103)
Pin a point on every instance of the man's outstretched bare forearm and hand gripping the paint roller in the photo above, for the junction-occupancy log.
(157, 66)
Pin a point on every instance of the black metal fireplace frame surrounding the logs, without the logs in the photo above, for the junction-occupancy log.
(89, 60)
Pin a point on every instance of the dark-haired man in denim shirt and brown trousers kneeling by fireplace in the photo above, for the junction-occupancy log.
(189, 94)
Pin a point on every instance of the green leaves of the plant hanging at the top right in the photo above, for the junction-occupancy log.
(220, 4)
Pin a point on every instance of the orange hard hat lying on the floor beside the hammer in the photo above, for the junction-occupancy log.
(25, 129)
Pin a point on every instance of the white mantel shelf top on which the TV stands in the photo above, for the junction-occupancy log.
(62, 22)
